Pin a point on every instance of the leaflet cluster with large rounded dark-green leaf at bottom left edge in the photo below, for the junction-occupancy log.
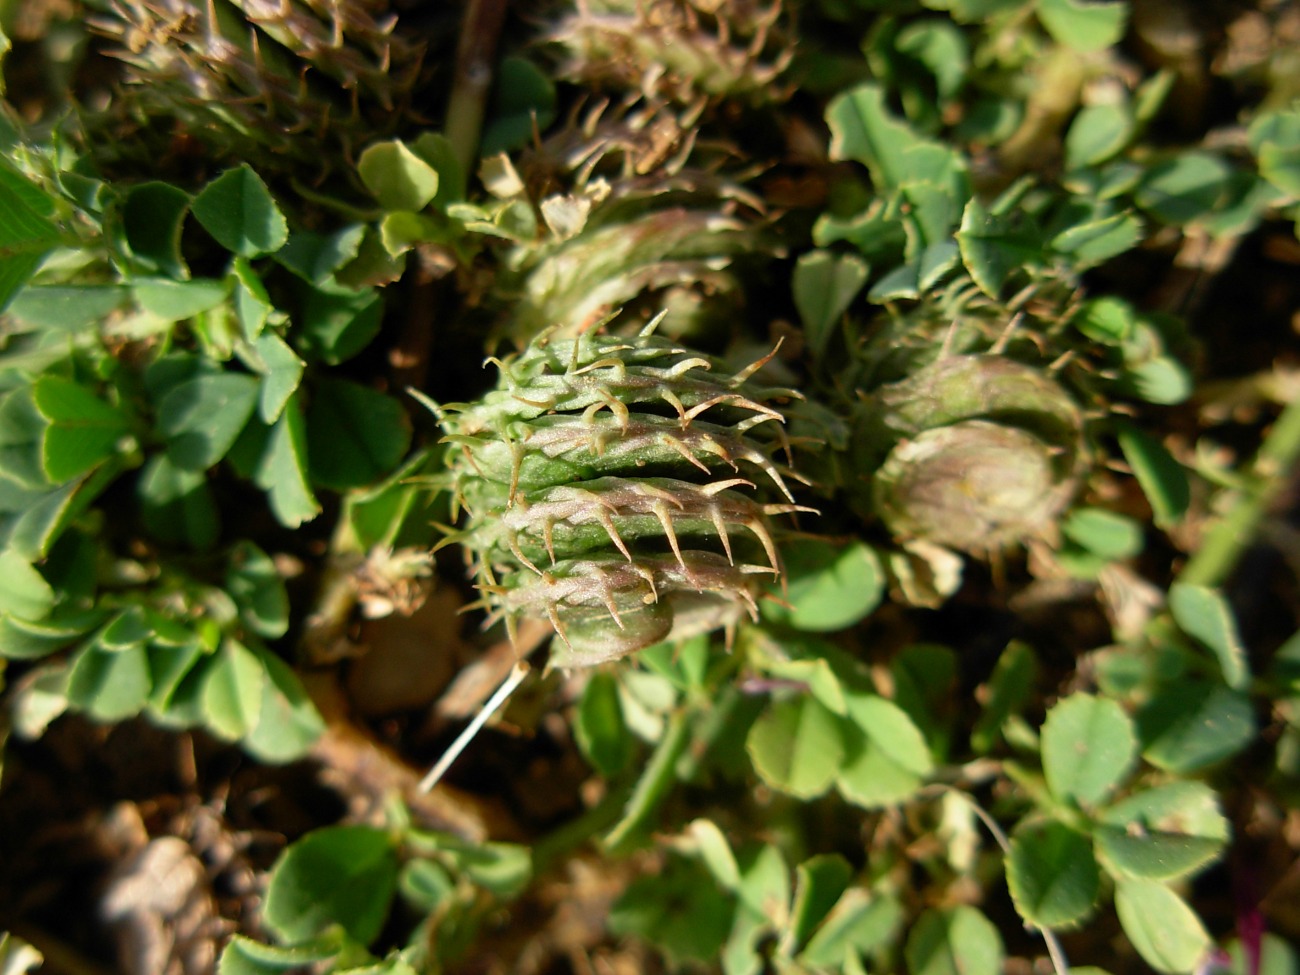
(331, 892)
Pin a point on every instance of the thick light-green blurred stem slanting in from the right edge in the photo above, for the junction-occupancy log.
(1229, 538)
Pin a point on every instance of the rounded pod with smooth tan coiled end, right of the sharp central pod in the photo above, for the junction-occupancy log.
(973, 452)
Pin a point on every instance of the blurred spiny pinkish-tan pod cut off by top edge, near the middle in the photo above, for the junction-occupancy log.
(677, 50)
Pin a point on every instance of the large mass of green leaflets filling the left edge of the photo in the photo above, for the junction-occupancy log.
(124, 372)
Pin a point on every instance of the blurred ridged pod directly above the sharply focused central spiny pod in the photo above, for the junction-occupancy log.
(647, 219)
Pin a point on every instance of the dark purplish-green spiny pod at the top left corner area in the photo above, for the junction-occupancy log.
(278, 83)
